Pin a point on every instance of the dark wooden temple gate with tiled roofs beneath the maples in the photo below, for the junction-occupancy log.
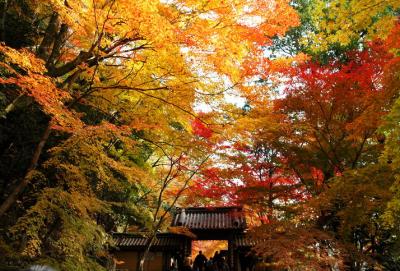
(206, 223)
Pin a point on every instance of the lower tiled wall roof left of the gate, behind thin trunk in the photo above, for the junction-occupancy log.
(130, 240)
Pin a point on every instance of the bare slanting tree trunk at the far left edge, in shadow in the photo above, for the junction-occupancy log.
(12, 198)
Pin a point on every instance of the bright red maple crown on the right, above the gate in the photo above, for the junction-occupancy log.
(334, 111)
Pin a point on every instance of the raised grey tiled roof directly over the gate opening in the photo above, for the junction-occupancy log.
(213, 218)
